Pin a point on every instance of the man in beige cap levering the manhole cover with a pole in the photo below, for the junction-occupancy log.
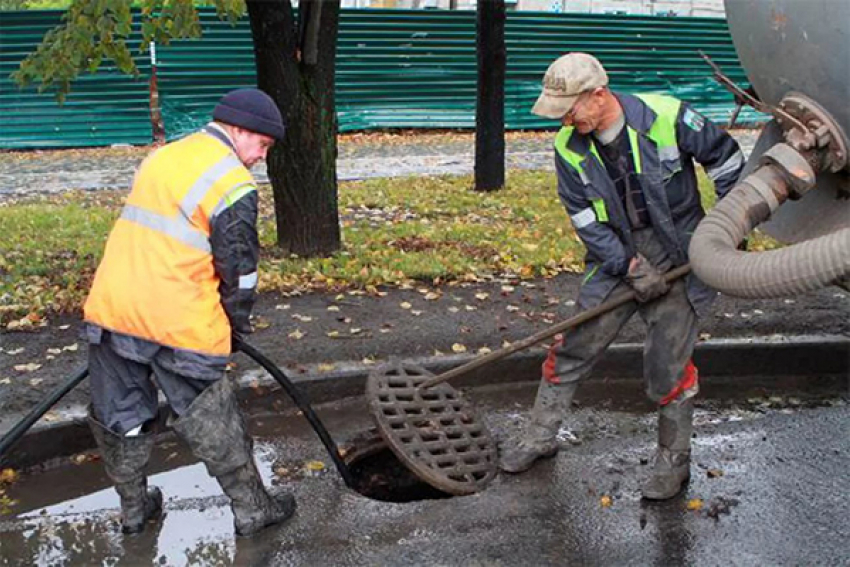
(626, 176)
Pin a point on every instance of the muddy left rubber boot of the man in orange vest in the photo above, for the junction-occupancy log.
(124, 459)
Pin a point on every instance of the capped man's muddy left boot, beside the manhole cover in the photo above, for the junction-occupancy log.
(540, 441)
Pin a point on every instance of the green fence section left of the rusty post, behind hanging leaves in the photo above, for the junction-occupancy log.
(102, 109)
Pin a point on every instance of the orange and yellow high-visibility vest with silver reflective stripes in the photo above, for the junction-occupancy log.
(157, 279)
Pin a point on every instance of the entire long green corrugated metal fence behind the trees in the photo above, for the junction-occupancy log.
(395, 69)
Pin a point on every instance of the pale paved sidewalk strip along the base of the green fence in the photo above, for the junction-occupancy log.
(361, 156)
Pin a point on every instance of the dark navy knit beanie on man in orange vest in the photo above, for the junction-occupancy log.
(251, 109)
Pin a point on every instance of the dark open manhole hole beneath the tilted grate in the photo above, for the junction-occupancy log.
(378, 474)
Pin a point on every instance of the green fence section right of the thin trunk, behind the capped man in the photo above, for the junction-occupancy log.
(640, 53)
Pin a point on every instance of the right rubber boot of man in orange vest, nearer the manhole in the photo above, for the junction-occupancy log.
(214, 429)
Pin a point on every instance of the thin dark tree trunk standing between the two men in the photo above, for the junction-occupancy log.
(490, 107)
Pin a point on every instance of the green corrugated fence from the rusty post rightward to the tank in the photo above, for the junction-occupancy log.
(414, 69)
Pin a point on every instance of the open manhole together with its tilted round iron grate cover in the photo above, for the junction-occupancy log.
(429, 443)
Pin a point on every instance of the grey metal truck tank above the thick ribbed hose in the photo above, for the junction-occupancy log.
(799, 46)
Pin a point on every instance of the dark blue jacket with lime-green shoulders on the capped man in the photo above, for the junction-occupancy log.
(666, 136)
